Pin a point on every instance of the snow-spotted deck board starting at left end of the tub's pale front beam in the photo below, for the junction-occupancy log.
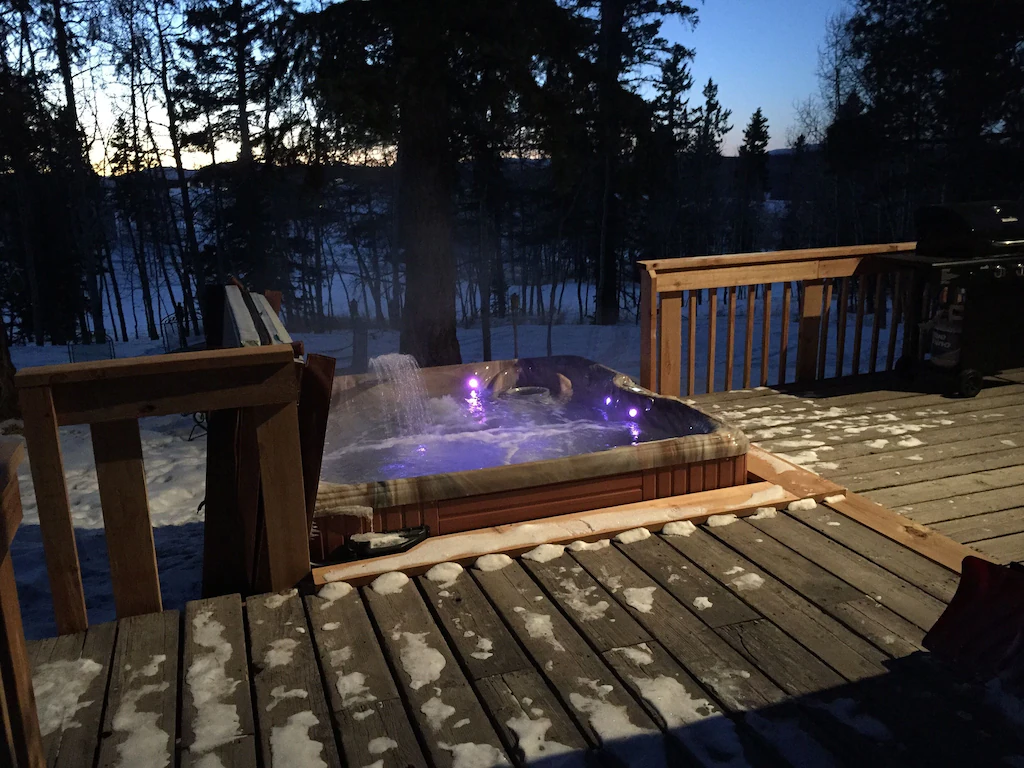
(362, 694)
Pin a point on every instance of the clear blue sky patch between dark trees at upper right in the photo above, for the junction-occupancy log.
(761, 54)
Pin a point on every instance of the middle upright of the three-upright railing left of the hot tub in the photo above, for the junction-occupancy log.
(117, 447)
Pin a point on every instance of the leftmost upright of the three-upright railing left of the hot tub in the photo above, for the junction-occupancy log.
(54, 509)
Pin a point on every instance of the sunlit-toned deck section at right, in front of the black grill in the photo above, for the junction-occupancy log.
(955, 465)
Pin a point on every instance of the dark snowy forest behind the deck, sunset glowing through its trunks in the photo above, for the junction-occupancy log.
(429, 159)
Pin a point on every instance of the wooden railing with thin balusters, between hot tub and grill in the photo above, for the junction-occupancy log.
(828, 283)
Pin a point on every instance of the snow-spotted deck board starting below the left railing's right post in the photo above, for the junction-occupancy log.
(289, 703)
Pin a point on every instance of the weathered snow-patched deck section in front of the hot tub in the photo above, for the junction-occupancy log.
(794, 641)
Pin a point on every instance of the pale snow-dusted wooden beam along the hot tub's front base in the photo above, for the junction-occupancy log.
(591, 526)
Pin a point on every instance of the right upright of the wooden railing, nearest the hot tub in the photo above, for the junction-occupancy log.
(284, 501)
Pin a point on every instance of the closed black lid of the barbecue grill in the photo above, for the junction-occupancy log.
(971, 230)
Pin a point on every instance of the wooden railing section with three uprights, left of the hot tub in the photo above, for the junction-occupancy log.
(111, 397)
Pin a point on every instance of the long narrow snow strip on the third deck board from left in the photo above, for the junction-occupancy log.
(217, 719)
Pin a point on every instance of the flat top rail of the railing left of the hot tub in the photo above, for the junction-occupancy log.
(70, 373)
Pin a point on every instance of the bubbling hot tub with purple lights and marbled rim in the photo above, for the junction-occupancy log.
(458, 448)
